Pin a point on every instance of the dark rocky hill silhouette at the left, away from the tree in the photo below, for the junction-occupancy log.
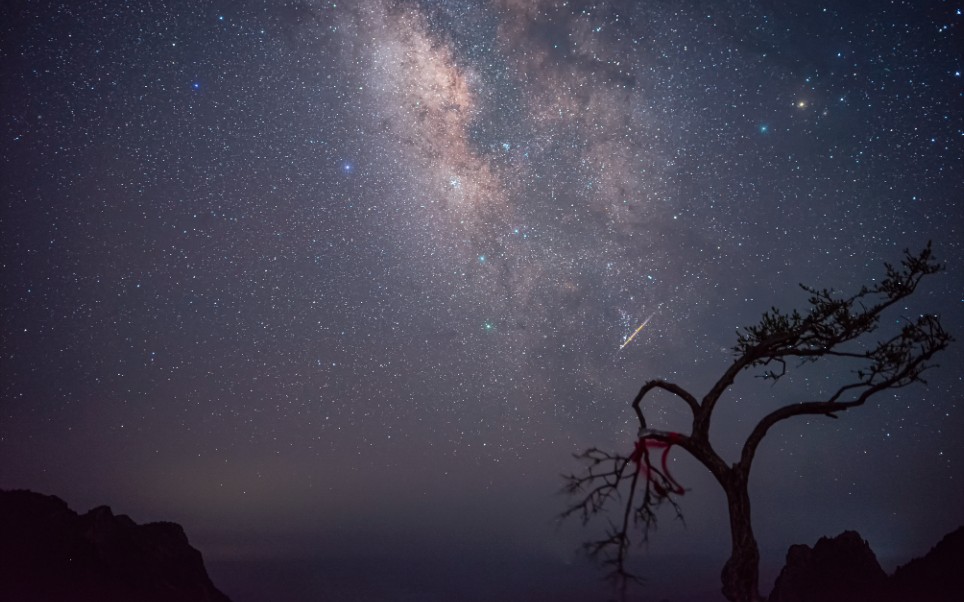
(49, 552)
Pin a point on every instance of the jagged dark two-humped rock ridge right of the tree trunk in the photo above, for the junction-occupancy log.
(844, 568)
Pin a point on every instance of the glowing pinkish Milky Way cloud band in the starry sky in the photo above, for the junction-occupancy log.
(523, 189)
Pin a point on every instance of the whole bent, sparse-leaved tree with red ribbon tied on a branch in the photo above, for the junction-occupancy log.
(835, 328)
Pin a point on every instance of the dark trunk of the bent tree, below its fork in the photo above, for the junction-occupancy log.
(741, 573)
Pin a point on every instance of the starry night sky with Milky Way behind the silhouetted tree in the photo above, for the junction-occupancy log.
(340, 287)
